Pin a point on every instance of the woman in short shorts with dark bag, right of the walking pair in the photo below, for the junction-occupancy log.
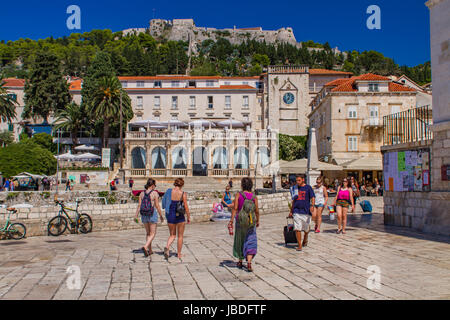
(176, 206)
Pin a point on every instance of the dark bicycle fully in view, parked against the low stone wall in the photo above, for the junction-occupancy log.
(58, 225)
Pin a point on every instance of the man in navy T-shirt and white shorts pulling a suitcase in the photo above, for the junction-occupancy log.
(302, 208)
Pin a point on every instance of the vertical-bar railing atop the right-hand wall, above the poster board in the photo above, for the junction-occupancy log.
(408, 126)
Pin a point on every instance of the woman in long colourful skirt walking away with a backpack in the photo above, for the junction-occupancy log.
(246, 215)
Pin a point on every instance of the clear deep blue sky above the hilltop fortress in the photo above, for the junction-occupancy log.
(404, 34)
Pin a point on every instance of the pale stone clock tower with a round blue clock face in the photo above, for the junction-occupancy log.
(287, 90)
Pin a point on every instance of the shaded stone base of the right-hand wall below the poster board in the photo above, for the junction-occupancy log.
(423, 211)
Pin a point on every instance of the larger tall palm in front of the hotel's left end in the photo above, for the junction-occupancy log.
(106, 104)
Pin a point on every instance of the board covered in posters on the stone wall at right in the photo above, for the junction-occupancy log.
(407, 170)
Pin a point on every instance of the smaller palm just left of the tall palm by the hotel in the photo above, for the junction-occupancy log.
(71, 119)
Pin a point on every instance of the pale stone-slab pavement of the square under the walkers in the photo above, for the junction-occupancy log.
(412, 265)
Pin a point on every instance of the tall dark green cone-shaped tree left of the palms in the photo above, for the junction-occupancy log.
(46, 91)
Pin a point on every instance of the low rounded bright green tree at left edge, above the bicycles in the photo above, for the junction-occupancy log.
(26, 156)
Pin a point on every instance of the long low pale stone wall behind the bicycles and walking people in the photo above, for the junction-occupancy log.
(121, 216)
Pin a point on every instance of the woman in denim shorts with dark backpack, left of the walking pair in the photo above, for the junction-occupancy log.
(148, 202)
